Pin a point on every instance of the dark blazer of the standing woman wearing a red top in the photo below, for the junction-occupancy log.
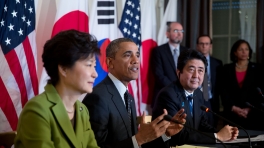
(232, 94)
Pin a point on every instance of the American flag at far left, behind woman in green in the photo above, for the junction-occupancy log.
(18, 67)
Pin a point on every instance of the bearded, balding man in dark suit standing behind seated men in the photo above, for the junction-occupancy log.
(164, 57)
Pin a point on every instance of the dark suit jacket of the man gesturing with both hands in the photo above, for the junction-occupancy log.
(108, 116)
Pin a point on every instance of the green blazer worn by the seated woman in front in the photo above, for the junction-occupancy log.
(44, 123)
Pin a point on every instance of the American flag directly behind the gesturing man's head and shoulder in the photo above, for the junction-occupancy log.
(130, 28)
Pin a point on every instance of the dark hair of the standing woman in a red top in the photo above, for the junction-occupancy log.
(234, 48)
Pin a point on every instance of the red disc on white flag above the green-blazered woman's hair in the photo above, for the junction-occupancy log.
(68, 21)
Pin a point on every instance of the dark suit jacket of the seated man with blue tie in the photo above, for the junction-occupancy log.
(173, 98)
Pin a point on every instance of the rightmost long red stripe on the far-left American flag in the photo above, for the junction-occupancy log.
(31, 65)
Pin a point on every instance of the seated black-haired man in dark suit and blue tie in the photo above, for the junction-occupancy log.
(183, 93)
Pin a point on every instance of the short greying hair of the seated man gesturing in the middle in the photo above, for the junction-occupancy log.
(113, 47)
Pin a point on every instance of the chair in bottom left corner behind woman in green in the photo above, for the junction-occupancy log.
(7, 139)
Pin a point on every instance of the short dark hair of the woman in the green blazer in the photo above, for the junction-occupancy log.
(64, 49)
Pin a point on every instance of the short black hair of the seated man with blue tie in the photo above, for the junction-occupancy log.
(190, 54)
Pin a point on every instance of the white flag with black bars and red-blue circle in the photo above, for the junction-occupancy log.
(103, 25)
